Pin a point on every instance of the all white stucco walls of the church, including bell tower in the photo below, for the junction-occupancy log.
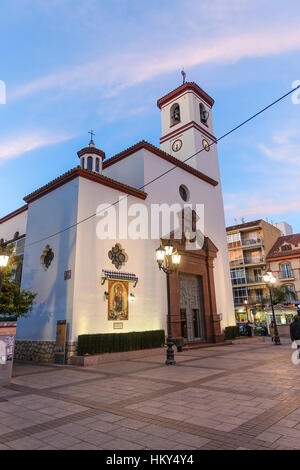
(81, 299)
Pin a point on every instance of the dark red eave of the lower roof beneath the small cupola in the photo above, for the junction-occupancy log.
(80, 172)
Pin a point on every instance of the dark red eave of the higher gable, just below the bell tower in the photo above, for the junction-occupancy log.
(160, 153)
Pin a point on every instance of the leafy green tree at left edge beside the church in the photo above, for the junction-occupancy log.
(14, 301)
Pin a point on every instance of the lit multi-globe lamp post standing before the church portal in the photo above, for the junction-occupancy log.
(168, 260)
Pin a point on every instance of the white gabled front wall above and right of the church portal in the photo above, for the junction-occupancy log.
(166, 190)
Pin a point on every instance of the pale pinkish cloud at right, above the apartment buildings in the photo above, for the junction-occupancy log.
(275, 191)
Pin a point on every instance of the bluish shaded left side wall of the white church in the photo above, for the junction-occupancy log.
(49, 215)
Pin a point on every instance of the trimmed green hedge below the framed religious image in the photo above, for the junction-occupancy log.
(117, 342)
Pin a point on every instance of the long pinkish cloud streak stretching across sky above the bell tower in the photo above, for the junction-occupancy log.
(114, 72)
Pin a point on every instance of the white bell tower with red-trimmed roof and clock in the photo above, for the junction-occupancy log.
(187, 128)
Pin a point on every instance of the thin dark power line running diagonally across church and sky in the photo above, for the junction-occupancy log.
(170, 169)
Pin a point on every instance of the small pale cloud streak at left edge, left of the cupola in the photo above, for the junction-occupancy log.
(16, 146)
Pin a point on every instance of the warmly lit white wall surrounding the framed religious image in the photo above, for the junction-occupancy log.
(149, 309)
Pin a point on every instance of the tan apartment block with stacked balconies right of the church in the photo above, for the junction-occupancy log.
(248, 244)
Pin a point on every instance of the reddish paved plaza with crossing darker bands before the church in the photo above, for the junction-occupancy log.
(243, 396)
